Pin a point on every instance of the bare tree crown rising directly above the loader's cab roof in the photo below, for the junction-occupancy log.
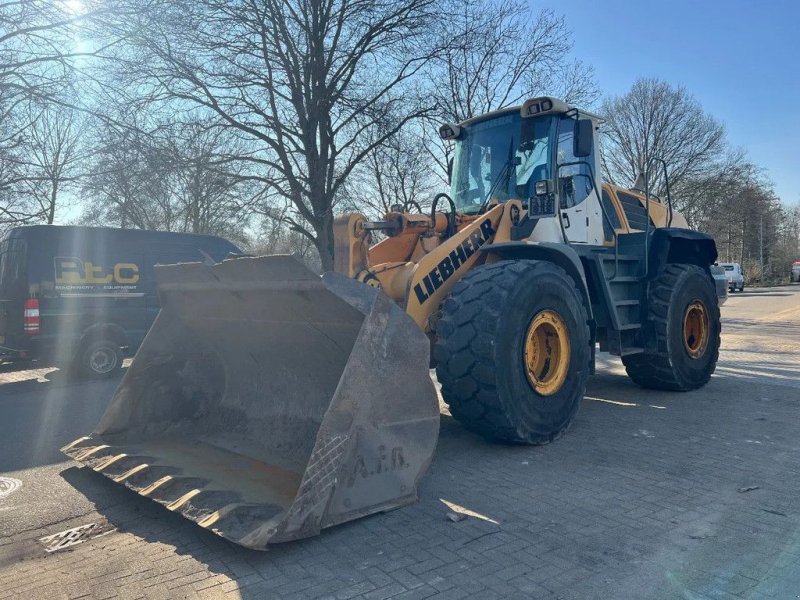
(500, 53)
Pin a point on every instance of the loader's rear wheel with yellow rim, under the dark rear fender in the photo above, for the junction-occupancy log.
(684, 360)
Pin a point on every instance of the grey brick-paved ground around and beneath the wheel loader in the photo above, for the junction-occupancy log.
(640, 500)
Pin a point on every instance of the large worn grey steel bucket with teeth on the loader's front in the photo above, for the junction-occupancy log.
(267, 403)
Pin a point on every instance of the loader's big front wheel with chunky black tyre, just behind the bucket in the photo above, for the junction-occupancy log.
(501, 323)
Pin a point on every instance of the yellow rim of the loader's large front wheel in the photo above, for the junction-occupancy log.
(547, 353)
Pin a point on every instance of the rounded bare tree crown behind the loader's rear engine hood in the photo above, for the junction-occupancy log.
(657, 120)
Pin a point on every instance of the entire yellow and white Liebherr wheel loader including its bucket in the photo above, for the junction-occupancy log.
(267, 403)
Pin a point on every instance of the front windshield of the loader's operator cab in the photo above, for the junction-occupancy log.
(500, 158)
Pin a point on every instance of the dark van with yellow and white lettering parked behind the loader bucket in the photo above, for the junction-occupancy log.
(83, 295)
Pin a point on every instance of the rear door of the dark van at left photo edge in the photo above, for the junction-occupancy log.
(13, 292)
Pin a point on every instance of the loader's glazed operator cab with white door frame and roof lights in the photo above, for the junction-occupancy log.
(541, 153)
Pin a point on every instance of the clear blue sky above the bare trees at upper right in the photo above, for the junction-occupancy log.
(741, 60)
